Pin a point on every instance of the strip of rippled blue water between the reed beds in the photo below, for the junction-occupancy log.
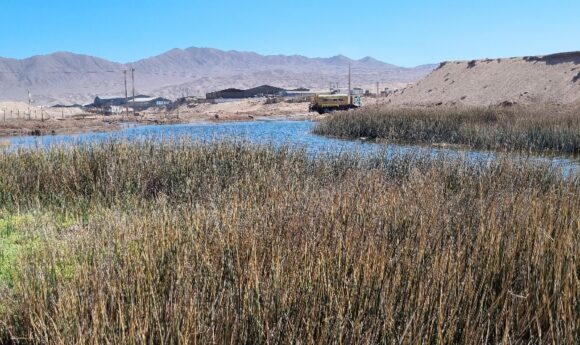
(292, 133)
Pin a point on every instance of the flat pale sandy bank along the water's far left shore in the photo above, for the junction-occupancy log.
(63, 121)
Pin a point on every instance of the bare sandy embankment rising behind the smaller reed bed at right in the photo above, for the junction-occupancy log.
(552, 79)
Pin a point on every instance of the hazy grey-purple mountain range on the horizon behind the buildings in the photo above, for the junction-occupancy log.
(71, 78)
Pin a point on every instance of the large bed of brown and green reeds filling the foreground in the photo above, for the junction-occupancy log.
(232, 243)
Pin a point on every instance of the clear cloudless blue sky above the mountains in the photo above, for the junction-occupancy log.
(405, 33)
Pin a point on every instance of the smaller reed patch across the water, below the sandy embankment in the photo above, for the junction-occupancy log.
(491, 128)
